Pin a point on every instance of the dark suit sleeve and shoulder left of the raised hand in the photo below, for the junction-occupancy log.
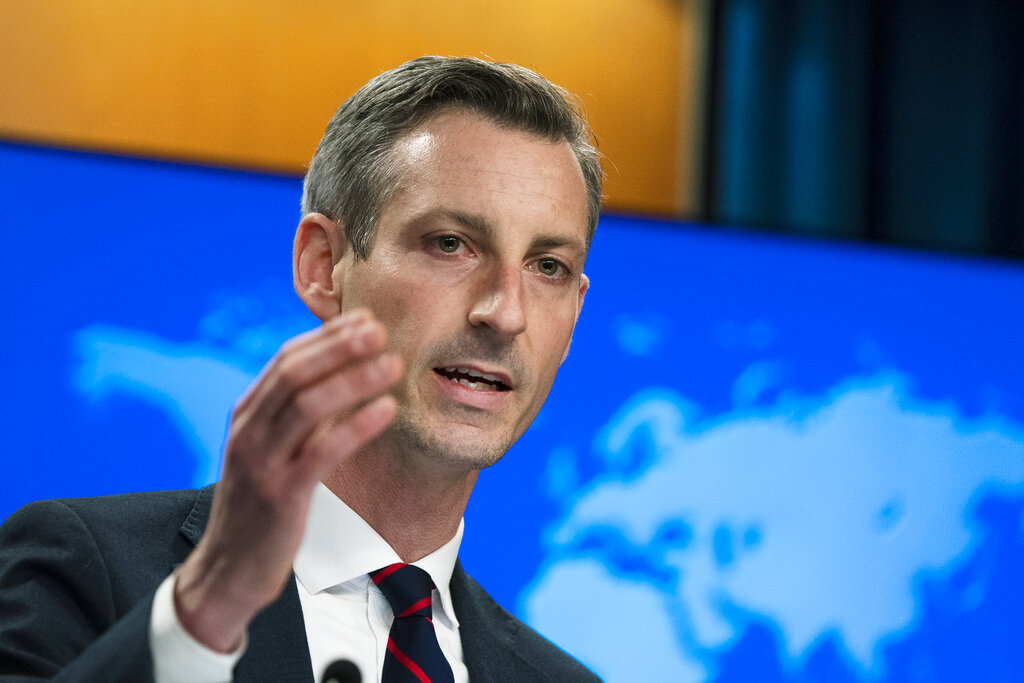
(84, 570)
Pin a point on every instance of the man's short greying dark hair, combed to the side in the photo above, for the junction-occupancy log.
(352, 177)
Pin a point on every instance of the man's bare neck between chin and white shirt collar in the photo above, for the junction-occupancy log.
(415, 506)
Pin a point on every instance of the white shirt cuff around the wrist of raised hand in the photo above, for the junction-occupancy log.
(179, 657)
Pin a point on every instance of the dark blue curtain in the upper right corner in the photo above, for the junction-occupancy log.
(899, 121)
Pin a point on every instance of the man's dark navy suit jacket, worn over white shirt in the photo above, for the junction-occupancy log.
(77, 580)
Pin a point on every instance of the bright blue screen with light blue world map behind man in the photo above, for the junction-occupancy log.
(764, 459)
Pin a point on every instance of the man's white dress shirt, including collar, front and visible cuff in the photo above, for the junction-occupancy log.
(347, 616)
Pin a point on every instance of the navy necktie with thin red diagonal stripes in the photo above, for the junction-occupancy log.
(413, 654)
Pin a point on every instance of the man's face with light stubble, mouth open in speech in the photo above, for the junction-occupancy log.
(477, 273)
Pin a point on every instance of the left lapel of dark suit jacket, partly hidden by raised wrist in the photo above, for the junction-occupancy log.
(278, 649)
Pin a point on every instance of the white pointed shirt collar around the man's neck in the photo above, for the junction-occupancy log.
(339, 546)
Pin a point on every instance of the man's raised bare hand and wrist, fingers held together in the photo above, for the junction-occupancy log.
(319, 401)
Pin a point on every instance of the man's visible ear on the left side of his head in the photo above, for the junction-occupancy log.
(319, 246)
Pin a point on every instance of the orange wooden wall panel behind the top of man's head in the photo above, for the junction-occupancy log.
(253, 82)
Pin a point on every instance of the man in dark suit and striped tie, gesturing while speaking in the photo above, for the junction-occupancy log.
(447, 218)
